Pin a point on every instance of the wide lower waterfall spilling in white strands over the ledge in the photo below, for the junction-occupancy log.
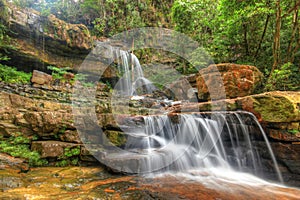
(186, 142)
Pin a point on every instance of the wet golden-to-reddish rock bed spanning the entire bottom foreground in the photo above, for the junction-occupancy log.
(96, 183)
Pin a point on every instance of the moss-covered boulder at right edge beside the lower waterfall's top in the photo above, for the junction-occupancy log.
(279, 112)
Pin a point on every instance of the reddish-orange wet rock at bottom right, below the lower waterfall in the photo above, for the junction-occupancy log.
(184, 188)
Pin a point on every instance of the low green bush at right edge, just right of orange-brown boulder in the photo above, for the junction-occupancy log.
(286, 77)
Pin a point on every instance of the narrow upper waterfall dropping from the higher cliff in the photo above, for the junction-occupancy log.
(132, 81)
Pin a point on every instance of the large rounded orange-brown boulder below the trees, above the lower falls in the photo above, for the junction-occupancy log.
(238, 81)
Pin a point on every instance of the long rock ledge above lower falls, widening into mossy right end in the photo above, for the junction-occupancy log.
(274, 110)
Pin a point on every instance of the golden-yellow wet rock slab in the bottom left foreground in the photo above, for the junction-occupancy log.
(73, 183)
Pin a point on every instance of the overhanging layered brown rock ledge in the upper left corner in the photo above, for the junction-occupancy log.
(39, 41)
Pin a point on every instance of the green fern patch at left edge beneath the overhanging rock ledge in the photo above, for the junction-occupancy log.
(11, 75)
